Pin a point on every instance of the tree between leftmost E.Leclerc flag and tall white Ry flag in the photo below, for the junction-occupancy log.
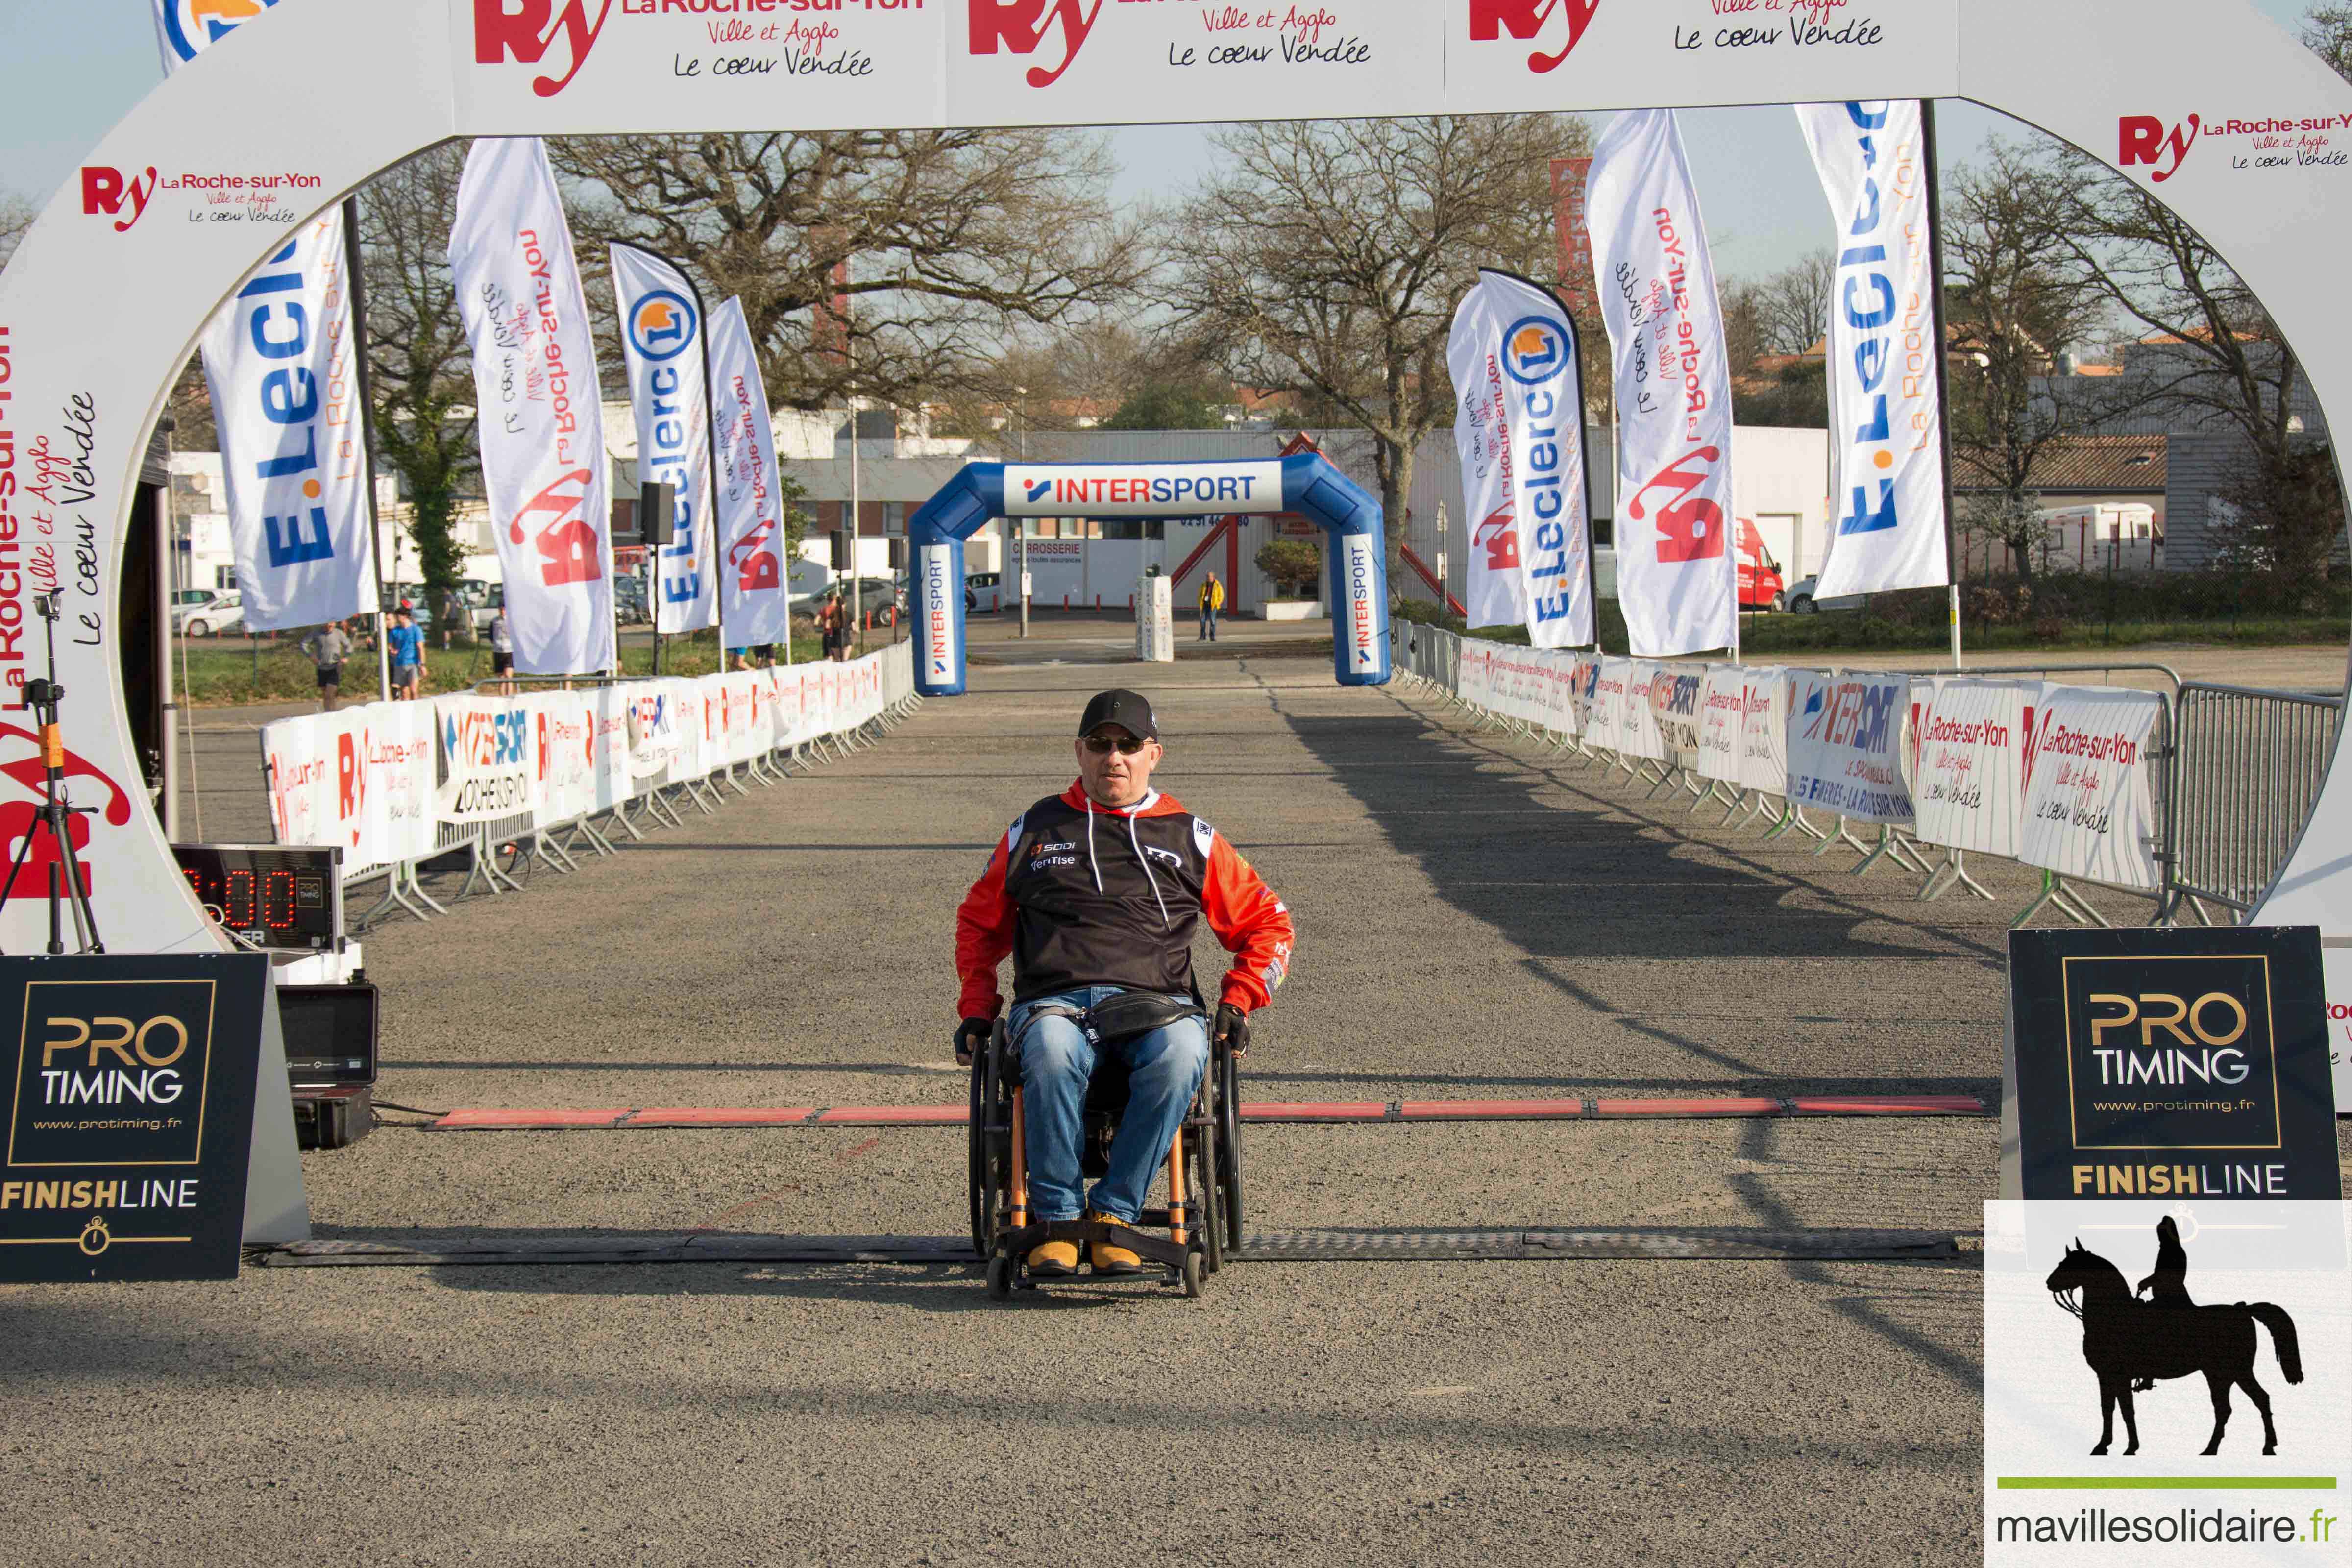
(417, 354)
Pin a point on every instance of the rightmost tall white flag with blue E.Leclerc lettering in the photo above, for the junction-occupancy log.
(1885, 398)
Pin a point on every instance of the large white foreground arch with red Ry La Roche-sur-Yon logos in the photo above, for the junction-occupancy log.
(309, 100)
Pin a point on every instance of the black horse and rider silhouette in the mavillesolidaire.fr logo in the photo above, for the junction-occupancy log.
(2132, 1343)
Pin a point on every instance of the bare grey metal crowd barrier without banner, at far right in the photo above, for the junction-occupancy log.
(2250, 772)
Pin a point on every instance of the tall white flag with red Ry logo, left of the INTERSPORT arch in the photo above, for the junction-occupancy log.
(542, 429)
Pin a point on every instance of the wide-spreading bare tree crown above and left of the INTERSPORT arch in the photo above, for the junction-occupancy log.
(940, 241)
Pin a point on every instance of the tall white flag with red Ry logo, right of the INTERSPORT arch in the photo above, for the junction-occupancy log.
(1673, 485)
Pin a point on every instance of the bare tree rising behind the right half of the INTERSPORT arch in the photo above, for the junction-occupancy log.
(1330, 257)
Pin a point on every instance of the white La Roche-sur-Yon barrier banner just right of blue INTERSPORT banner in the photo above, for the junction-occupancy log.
(1970, 782)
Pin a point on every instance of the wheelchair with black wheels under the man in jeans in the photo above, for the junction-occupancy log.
(1203, 1174)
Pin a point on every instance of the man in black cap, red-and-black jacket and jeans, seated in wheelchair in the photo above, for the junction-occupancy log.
(1097, 894)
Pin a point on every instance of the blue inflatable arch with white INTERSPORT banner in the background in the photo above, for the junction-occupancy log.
(1154, 492)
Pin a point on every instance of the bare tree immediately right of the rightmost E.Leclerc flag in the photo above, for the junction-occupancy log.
(2010, 314)
